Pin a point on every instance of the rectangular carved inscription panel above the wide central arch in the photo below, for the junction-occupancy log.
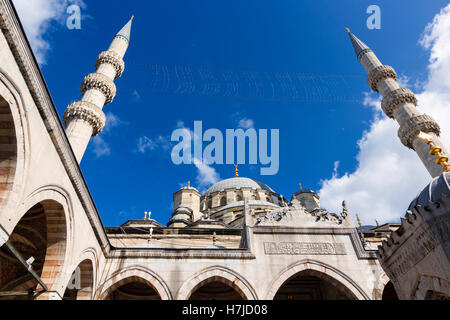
(299, 248)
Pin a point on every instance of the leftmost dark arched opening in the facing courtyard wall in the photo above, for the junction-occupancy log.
(132, 288)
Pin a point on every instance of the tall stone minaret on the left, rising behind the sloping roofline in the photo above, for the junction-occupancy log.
(85, 119)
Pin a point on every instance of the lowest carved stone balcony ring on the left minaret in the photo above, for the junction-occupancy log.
(88, 112)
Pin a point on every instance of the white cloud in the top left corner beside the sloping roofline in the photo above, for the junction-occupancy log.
(37, 16)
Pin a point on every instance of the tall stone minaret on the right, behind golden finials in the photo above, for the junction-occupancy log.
(417, 131)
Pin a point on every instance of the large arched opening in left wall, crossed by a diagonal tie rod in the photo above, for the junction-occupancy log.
(40, 234)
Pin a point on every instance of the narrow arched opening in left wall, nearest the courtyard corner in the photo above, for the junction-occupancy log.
(80, 286)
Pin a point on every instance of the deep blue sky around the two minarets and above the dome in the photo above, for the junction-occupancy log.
(262, 39)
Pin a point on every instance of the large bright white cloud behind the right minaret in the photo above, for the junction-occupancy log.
(389, 175)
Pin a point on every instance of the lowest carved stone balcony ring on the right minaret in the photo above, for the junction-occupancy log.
(411, 129)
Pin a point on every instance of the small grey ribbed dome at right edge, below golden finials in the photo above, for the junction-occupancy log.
(438, 187)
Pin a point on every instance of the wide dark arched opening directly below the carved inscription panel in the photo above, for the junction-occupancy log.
(313, 285)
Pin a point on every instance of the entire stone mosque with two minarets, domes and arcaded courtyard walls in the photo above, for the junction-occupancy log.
(239, 240)
